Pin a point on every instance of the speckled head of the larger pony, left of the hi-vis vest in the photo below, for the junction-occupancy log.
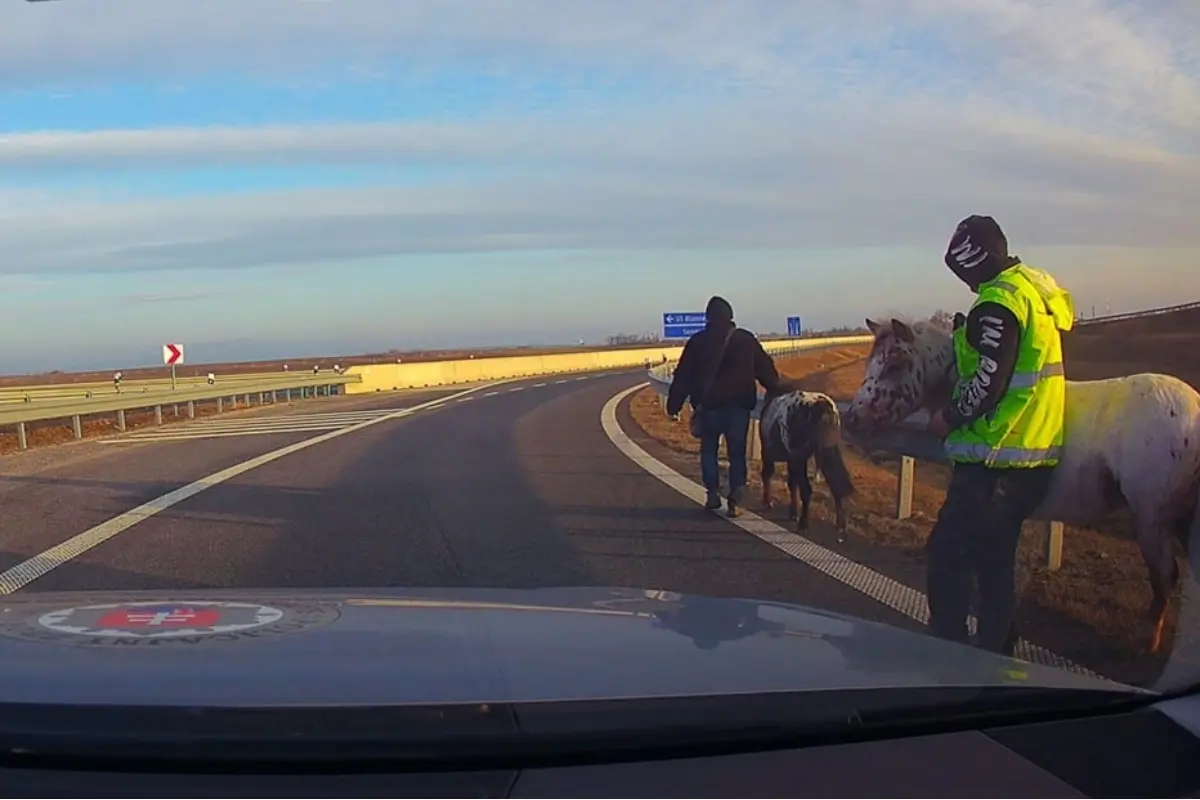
(911, 368)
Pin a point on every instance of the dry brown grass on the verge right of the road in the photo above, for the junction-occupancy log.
(1093, 609)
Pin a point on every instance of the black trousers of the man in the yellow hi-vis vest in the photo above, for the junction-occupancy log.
(976, 537)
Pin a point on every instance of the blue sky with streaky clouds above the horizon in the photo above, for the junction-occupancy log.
(273, 178)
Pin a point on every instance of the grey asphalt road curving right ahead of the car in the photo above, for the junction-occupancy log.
(515, 485)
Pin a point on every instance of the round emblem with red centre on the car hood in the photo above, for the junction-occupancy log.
(194, 622)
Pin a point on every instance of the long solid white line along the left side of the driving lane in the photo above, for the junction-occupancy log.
(33, 569)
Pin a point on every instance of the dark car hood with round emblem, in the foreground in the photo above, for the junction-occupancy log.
(460, 646)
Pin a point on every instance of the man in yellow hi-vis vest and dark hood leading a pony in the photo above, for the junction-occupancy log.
(1004, 431)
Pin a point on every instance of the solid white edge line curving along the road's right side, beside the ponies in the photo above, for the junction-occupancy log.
(857, 576)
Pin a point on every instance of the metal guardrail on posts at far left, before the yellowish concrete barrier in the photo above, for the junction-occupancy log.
(266, 389)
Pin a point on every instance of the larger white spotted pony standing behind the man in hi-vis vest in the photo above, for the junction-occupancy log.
(1131, 442)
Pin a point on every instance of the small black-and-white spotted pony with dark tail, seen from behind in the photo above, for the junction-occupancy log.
(795, 428)
